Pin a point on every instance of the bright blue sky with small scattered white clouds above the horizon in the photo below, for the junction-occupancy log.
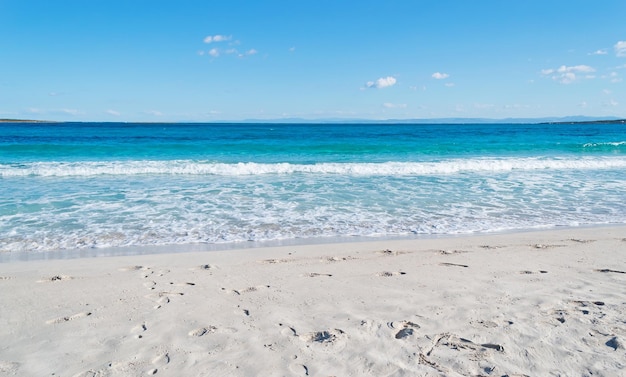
(232, 60)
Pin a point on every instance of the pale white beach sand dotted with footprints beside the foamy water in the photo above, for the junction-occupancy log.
(548, 303)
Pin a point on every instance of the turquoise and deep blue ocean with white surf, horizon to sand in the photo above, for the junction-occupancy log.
(75, 186)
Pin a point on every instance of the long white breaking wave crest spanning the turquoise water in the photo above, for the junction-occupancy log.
(189, 167)
